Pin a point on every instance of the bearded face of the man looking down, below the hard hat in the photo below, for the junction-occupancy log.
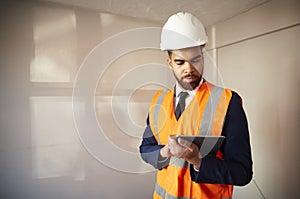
(187, 66)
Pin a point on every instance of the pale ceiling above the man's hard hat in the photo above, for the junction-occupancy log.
(208, 11)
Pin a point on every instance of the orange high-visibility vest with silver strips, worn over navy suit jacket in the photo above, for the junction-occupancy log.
(203, 116)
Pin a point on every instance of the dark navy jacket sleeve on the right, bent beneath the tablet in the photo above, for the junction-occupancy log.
(236, 166)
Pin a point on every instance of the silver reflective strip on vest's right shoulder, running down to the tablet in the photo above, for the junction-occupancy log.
(210, 110)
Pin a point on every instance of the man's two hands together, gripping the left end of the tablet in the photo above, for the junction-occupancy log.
(182, 149)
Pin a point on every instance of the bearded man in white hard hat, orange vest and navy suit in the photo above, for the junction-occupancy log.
(194, 107)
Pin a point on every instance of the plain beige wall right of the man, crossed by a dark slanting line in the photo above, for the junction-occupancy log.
(258, 56)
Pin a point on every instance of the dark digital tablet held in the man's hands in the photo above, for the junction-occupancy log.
(208, 145)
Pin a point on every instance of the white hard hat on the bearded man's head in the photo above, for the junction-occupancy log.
(182, 30)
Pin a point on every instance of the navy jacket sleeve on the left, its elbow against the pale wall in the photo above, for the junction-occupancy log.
(150, 149)
